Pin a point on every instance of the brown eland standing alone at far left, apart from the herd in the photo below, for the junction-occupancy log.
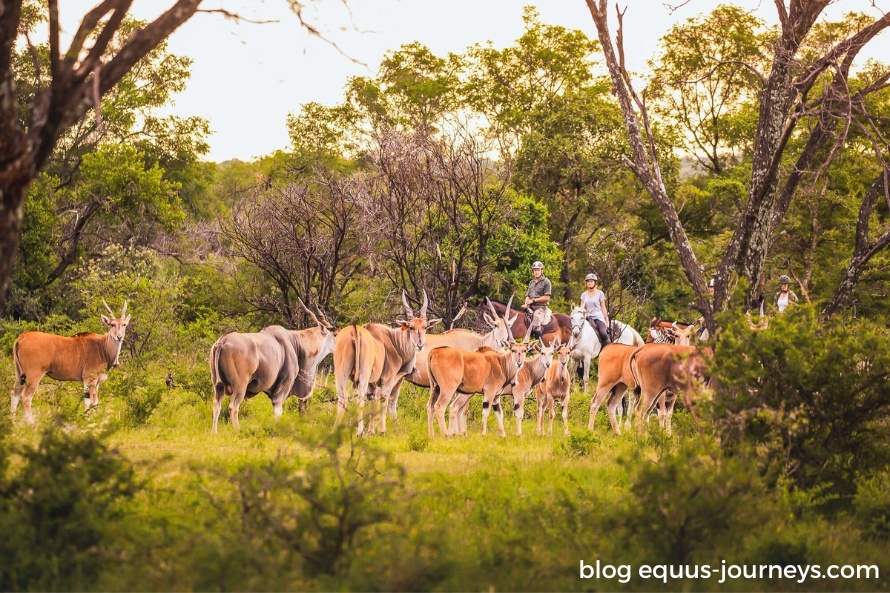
(84, 357)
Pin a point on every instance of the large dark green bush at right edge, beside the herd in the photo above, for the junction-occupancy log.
(809, 395)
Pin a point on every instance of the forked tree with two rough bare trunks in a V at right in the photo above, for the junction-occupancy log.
(803, 81)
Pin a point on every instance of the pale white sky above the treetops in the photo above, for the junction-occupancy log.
(246, 77)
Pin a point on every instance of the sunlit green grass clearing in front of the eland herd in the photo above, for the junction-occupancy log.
(234, 510)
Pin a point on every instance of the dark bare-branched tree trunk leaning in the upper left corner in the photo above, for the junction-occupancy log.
(74, 83)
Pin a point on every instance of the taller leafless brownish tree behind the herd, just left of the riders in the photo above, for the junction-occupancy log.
(438, 204)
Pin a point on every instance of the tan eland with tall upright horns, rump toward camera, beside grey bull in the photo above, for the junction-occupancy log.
(399, 347)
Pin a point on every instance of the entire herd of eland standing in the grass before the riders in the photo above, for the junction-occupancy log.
(372, 360)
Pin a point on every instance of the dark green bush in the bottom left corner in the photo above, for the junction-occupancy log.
(58, 507)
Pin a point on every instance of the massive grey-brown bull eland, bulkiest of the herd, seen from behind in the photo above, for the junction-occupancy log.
(276, 361)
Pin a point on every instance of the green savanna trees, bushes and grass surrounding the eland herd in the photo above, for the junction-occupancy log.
(451, 174)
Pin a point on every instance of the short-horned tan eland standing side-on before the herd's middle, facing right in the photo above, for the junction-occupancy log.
(486, 371)
